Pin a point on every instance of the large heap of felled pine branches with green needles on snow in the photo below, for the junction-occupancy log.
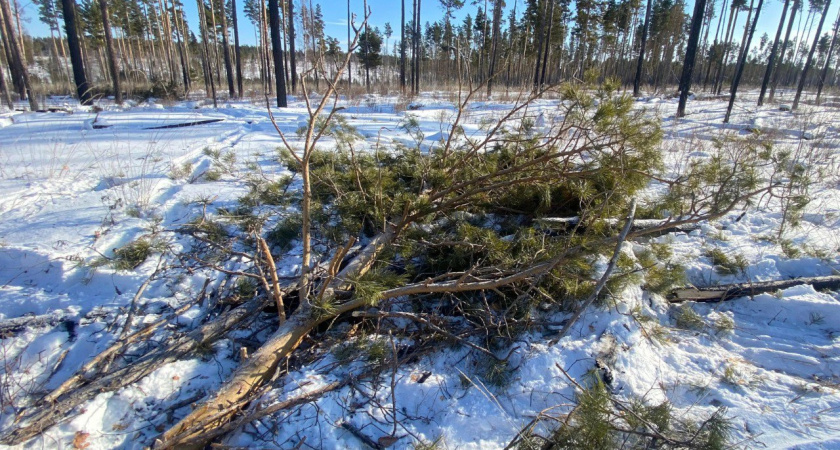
(450, 229)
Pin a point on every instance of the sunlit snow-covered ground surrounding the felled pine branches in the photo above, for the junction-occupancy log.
(72, 191)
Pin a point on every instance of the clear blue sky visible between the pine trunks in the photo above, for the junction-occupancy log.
(382, 11)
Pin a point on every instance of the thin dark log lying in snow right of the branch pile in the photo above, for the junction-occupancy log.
(730, 291)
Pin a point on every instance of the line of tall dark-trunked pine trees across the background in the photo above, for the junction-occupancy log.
(146, 46)
